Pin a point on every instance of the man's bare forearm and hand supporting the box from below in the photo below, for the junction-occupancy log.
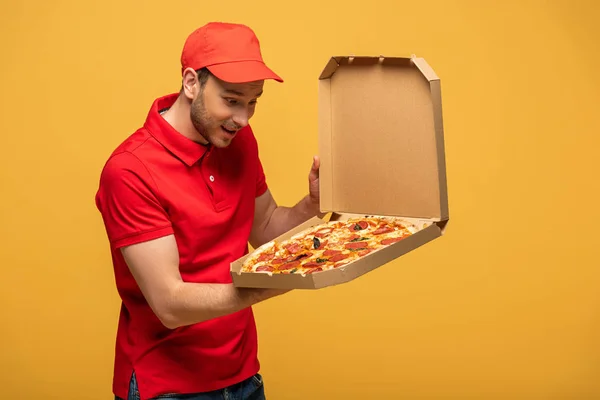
(190, 303)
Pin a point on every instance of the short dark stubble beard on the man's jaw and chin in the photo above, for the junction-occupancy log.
(209, 128)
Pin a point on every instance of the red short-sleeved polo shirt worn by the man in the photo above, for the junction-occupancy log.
(156, 183)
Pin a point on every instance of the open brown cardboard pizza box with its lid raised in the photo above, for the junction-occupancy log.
(381, 144)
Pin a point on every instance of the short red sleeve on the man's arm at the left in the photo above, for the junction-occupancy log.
(127, 199)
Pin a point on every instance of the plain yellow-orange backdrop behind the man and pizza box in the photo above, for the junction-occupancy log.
(505, 306)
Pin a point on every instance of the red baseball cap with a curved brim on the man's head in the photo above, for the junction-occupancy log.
(231, 52)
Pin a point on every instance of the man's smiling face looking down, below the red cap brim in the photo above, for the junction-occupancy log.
(220, 109)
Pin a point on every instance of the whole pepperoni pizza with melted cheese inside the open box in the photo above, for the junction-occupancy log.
(328, 245)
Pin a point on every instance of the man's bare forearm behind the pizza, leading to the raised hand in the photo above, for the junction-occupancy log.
(285, 218)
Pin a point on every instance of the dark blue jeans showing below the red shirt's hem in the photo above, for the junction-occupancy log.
(249, 389)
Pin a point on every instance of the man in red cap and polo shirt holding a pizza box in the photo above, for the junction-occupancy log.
(180, 199)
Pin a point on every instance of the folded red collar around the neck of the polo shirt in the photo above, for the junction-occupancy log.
(182, 147)
